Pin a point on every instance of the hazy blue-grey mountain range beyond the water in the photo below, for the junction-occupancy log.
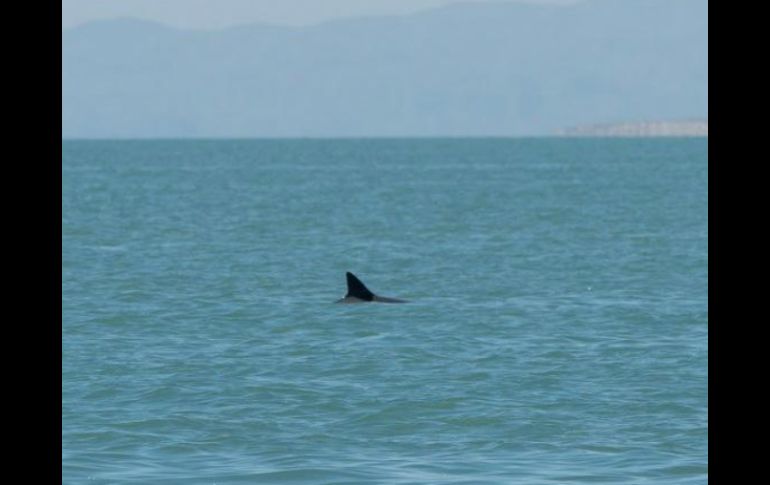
(467, 69)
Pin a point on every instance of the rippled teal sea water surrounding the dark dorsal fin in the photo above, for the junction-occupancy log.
(556, 333)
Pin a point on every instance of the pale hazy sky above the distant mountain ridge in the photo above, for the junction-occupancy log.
(215, 14)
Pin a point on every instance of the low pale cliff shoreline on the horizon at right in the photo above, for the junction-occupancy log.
(642, 128)
